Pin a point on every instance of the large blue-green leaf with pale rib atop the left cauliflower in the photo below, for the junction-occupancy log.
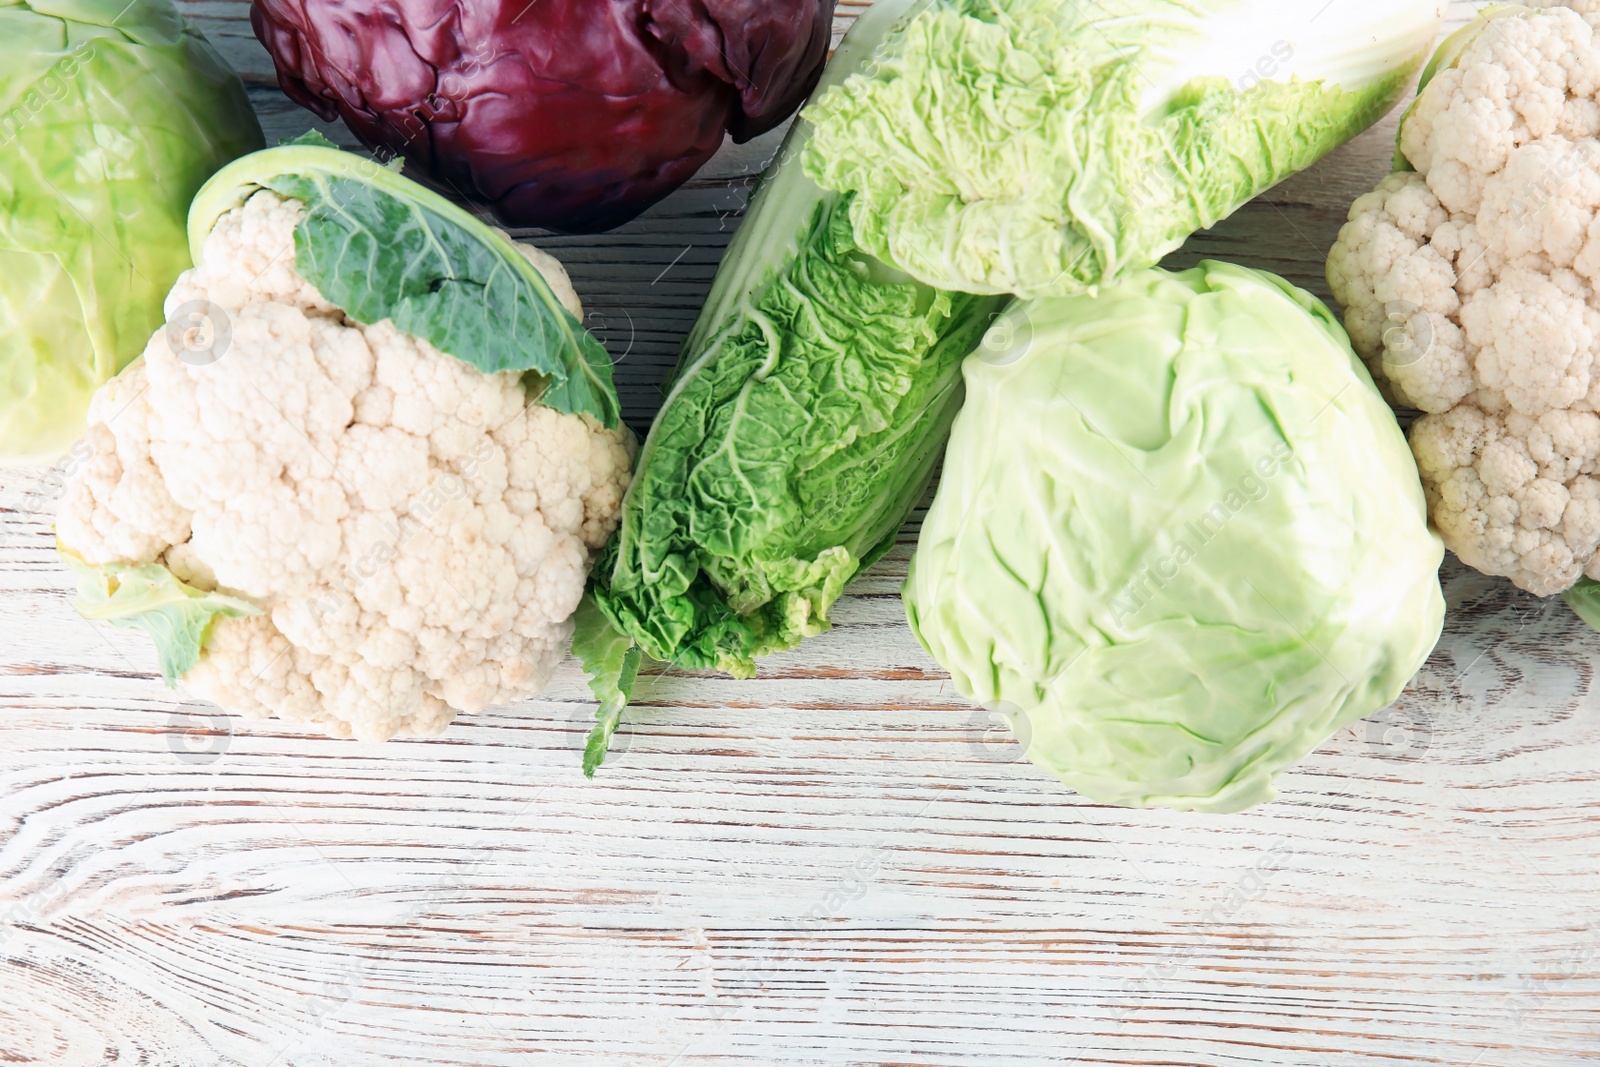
(382, 247)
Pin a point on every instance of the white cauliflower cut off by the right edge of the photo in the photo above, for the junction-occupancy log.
(1473, 290)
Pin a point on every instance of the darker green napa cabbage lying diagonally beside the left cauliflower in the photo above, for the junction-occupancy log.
(814, 399)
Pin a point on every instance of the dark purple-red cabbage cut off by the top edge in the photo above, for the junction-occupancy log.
(567, 114)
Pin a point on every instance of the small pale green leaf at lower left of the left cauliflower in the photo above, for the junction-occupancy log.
(151, 599)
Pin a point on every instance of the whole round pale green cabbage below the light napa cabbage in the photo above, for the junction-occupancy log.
(1180, 538)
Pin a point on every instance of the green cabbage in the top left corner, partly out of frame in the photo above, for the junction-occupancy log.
(113, 114)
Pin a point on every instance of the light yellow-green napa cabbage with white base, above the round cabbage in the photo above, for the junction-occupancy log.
(1044, 148)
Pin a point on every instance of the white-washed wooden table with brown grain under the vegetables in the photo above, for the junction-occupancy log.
(839, 863)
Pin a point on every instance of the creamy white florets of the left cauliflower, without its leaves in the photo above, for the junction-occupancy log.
(417, 533)
